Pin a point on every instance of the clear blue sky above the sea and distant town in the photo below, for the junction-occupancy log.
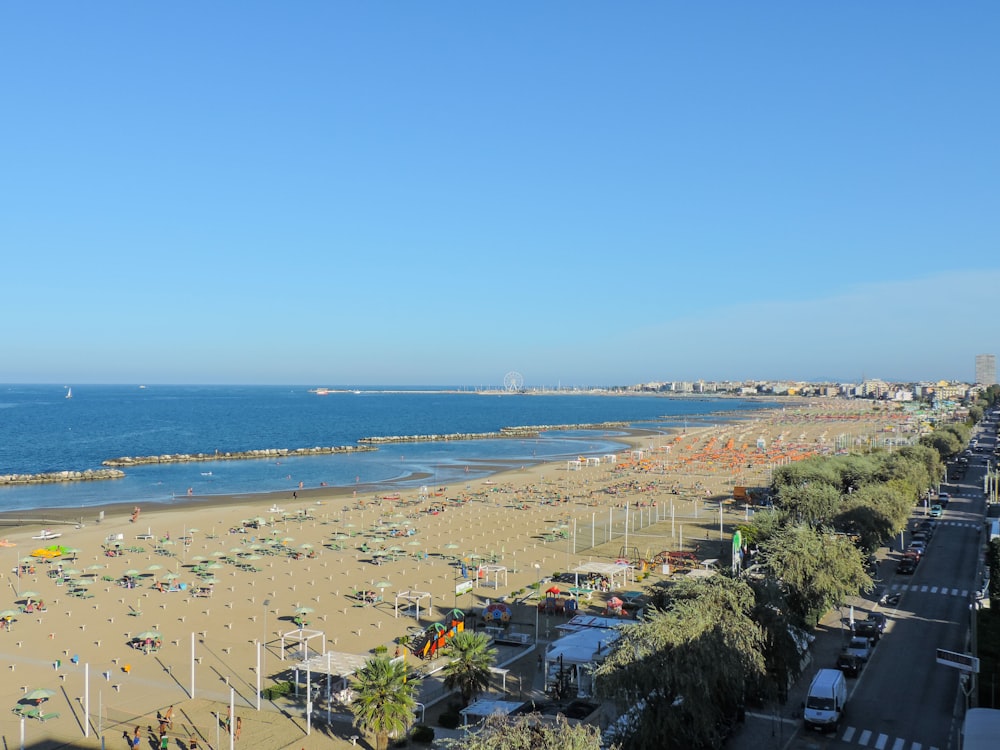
(437, 193)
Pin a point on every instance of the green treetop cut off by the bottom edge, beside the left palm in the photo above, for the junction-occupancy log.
(530, 732)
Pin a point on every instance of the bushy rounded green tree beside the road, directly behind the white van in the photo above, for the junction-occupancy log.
(819, 569)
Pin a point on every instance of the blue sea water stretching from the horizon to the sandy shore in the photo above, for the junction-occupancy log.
(41, 430)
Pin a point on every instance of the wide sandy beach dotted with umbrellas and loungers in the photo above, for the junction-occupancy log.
(223, 575)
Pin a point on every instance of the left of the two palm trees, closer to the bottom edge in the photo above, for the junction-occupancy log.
(386, 699)
